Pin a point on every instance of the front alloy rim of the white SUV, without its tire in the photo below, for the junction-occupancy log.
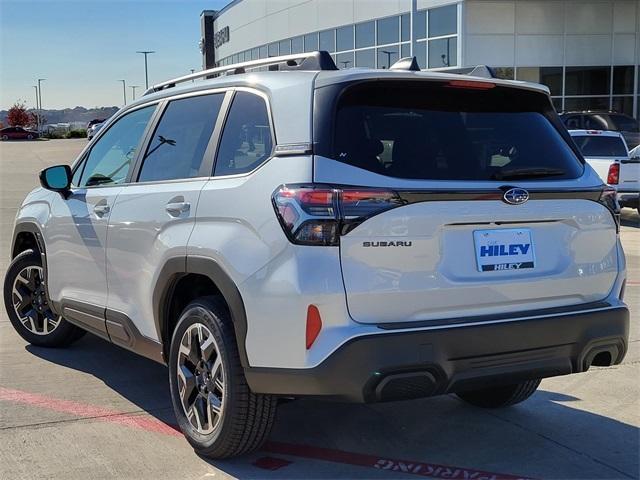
(31, 304)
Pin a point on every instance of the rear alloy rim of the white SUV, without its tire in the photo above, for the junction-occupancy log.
(201, 380)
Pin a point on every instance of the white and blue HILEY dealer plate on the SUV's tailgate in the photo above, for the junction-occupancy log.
(504, 249)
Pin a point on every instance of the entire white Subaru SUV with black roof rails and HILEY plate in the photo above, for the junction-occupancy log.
(361, 235)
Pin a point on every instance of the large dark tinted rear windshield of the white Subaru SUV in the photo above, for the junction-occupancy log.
(432, 131)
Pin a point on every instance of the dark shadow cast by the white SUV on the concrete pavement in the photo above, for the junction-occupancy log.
(549, 436)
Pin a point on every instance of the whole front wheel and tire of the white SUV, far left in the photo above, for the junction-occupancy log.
(27, 305)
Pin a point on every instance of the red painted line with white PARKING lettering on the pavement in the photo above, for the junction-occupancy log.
(315, 453)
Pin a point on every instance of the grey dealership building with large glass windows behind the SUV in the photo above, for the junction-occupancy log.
(586, 52)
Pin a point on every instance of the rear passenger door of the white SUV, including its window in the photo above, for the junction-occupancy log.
(154, 216)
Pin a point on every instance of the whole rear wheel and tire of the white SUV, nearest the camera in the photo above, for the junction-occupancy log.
(245, 418)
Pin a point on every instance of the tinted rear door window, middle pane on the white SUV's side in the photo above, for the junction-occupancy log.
(181, 138)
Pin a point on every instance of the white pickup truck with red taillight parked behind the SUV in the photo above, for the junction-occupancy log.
(607, 153)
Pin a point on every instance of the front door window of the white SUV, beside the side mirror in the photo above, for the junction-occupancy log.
(110, 159)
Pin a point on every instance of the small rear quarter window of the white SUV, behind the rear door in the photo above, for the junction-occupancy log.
(246, 141)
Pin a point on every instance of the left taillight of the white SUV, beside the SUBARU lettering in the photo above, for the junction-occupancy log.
(319, 214)
